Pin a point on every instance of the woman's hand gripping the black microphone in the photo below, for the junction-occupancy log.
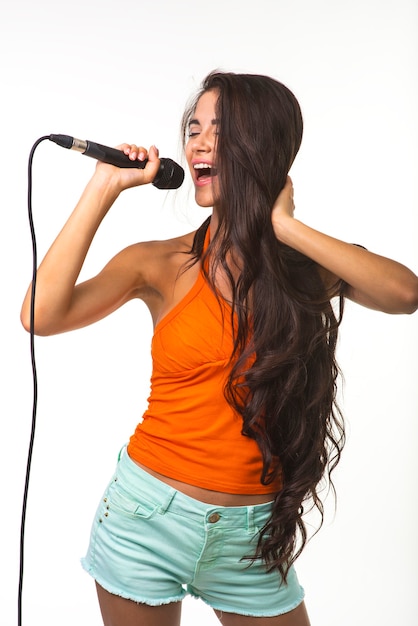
(126, 177)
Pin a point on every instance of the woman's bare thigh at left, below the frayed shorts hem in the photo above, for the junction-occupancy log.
(117, 611)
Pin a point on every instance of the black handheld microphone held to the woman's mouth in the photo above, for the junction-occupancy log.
(169, 176)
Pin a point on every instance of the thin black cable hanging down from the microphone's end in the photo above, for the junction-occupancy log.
(35, 381)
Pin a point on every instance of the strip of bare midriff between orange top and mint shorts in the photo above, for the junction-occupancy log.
(218, 498)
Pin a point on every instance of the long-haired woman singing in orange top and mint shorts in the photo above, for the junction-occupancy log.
(242, 422)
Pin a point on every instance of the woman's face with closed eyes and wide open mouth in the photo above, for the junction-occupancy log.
(201, 149)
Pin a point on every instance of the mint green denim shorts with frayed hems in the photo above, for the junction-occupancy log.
(154, 545)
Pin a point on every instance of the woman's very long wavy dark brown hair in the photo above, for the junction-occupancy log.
(284, 371)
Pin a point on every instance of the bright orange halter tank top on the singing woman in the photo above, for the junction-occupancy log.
(189, 431)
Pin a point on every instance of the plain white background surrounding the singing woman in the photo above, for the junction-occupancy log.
(123, 71)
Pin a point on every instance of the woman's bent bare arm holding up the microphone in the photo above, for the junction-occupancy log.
(60, 304)
